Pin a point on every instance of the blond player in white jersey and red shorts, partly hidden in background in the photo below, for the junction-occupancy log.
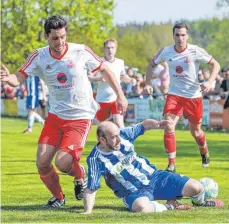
(106, 97)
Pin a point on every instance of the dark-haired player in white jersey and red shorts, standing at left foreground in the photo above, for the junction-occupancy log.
(63, 67)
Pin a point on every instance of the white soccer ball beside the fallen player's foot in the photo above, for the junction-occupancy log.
(210, 186)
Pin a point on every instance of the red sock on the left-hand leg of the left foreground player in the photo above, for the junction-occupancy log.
(51, 181)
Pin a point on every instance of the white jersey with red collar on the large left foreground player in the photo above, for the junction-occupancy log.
(70, 92)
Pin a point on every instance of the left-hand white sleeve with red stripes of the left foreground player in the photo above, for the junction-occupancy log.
(31, 65)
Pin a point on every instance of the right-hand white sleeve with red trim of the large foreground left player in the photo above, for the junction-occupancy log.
(92, 61)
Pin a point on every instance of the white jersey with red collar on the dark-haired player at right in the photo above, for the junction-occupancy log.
(183, 69)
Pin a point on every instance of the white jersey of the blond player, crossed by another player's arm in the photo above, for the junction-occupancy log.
(104, 92)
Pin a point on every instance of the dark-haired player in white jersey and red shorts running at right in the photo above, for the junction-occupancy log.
(185, 91)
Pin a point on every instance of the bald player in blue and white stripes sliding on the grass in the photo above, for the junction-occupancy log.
(132, 177)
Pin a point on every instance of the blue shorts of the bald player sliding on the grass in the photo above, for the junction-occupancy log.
(163, 186)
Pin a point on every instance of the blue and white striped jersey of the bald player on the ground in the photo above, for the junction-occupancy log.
(124, 171)
